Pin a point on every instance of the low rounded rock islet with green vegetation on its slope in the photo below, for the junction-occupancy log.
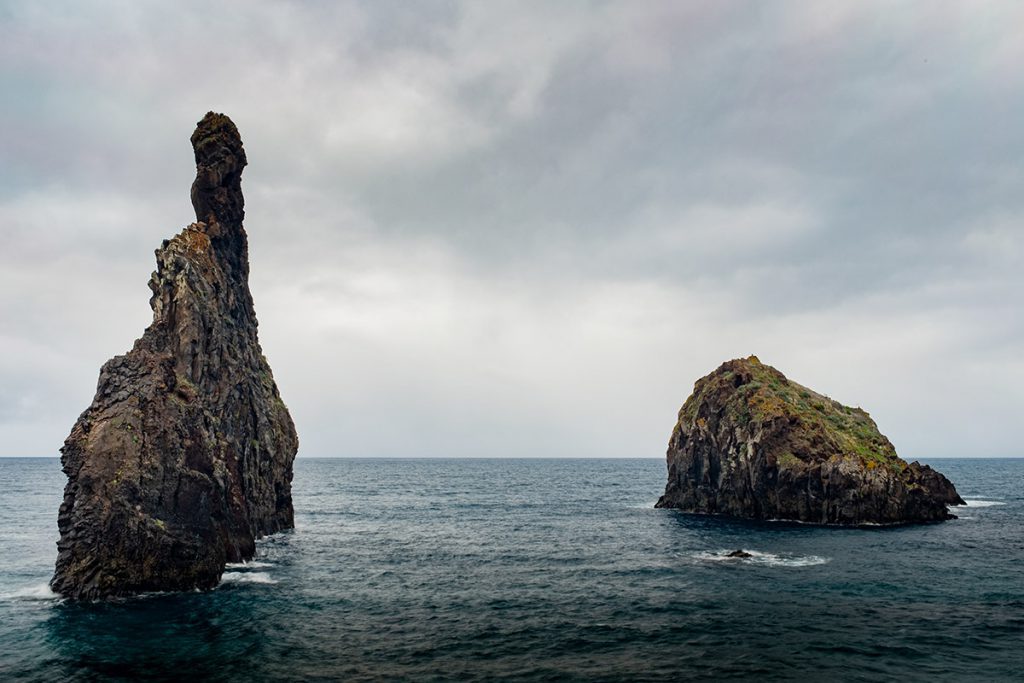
(751, 444)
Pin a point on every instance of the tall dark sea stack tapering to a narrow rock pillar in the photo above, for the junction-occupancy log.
(185, 457)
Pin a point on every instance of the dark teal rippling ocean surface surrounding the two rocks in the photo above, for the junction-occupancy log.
(538, 571)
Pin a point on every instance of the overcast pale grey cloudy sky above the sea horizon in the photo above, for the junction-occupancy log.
(526, 229)
